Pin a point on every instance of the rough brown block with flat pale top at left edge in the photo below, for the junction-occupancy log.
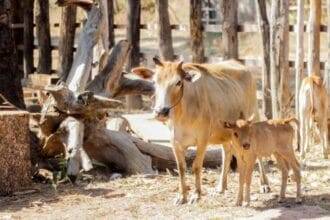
(15, 163)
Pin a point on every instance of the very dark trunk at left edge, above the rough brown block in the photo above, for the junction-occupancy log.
(10, 76)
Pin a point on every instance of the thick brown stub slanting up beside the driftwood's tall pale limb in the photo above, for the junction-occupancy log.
(108, 80)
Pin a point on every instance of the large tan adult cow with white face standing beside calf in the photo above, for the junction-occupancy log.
(194, 98)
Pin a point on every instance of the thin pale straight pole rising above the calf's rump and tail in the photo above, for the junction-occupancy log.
(299, 51)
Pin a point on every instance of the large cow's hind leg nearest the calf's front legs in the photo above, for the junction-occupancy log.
(227, 155)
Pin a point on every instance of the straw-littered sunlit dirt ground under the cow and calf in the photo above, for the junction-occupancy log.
(141, 197)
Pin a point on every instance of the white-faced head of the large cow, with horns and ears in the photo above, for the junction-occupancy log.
(169, 78)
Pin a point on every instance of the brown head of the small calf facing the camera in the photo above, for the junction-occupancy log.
(241, 132)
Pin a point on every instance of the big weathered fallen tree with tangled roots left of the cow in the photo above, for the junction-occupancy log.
(75, 118)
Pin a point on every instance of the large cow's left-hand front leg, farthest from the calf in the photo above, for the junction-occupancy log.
(179, 153)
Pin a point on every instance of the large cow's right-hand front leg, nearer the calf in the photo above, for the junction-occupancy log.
(197, 170)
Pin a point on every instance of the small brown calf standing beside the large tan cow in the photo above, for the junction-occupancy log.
(263, 139)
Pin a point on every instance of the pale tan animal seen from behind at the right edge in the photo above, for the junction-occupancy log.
(313, 107)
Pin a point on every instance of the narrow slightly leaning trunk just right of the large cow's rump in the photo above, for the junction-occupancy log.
(265, 32)
